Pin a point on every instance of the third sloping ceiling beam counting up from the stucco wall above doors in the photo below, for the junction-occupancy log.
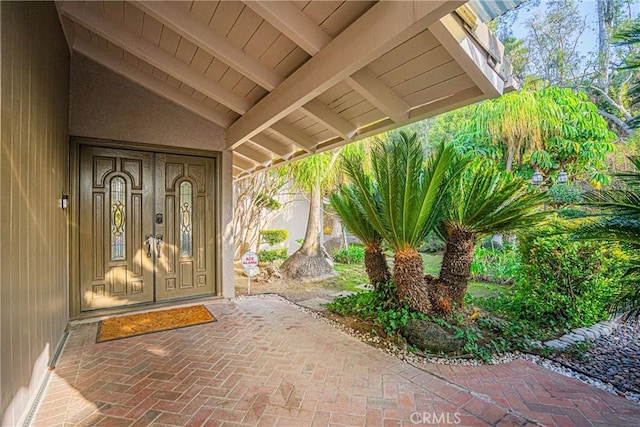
(202, 36)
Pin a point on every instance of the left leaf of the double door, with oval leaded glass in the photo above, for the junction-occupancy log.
(116, 205)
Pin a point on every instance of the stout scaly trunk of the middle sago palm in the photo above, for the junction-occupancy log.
(409, 279)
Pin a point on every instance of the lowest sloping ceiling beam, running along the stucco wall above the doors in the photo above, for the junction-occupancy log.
(149, 82)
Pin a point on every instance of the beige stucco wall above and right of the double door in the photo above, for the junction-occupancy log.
(106, 105)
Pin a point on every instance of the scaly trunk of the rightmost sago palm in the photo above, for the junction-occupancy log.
(456, 264)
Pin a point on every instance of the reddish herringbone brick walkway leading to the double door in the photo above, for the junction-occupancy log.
(267, 363)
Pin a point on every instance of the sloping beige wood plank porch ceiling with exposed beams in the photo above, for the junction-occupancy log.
(290, 78)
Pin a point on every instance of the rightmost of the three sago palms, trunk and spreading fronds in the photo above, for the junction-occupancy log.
(481, 202)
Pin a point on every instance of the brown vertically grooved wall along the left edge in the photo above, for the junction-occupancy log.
(33, 174)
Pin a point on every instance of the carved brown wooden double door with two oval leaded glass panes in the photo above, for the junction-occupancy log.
(146, 227)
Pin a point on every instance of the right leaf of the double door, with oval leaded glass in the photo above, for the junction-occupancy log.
(183, 198)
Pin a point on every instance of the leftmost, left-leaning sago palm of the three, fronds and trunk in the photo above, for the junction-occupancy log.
(345, 203)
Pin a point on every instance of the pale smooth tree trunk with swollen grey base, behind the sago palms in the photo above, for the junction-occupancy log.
(311, 262)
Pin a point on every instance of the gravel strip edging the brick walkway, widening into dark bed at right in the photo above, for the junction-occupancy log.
(610, 363)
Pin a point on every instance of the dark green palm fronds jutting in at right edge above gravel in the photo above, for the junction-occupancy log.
(619, 220)
